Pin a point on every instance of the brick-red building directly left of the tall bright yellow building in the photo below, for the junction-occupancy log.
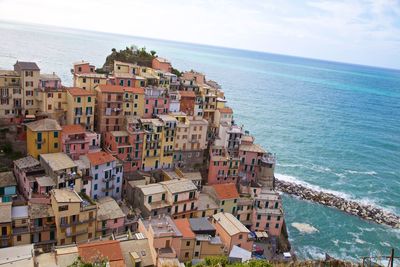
(126, 145)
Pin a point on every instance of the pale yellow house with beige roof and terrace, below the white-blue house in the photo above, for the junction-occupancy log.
(75, 216)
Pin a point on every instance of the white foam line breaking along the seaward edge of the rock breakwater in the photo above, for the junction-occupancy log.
(367, 201)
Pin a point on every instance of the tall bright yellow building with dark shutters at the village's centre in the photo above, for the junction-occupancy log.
(158, 142)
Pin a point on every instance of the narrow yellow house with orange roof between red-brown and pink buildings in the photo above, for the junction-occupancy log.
(133, 101)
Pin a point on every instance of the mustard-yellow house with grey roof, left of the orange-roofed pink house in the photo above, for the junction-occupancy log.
(43, 136)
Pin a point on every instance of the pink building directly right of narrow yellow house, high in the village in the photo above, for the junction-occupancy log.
(156, 102)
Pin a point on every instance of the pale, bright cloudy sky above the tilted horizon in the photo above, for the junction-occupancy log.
(355, 31)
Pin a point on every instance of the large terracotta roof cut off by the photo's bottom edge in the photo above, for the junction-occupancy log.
(109, 250)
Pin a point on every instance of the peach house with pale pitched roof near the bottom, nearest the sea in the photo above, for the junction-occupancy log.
(231, 231)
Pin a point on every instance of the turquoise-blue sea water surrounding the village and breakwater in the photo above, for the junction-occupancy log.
(333, 126)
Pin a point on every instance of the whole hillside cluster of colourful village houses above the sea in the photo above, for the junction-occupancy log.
(138, 166)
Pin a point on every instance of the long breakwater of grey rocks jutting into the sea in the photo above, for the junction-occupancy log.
(367, 212)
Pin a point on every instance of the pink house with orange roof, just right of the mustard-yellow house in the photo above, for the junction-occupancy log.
(77, 141)
